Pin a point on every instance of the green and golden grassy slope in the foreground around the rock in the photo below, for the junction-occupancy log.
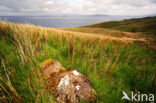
(113, 64)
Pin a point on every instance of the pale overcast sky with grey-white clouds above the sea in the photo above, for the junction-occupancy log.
(84, 7)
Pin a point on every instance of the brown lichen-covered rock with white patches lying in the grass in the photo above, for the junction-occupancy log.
(67, 85)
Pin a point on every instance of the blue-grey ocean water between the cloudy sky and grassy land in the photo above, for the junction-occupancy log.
(62, 21)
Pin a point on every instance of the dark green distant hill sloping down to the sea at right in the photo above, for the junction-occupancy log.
(145, 25)
